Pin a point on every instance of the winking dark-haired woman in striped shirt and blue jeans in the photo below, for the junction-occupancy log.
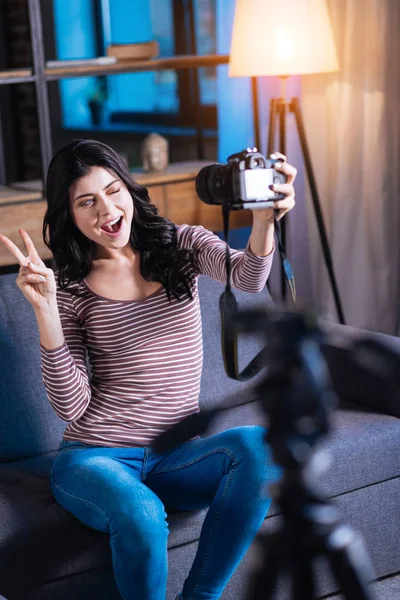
(121, 345)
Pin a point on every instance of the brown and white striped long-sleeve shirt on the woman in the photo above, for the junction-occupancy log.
(145, 356)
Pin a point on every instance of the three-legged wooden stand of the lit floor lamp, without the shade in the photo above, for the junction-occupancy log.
(278, 108)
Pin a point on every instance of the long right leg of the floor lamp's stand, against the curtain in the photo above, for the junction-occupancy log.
(295, 108)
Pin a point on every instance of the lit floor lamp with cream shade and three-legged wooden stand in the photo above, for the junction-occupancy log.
(293, 37)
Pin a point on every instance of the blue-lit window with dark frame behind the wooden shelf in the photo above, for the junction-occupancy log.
(162, 97)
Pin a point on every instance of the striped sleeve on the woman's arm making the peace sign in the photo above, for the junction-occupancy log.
(64, 370)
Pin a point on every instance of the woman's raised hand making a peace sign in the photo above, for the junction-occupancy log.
(35, 280)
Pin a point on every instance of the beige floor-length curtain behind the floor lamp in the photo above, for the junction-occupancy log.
(352, 119)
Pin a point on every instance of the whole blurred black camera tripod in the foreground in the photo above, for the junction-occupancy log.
(297, 398)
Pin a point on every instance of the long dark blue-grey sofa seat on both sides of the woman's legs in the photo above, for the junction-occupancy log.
(40, 541)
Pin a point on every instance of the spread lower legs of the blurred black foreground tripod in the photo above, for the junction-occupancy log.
(308, 531)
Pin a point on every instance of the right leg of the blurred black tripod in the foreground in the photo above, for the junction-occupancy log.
(350, 564)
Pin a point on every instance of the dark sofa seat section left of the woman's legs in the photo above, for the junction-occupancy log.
(39, 541)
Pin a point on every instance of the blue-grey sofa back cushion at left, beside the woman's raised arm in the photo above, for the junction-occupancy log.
(28, 423)
